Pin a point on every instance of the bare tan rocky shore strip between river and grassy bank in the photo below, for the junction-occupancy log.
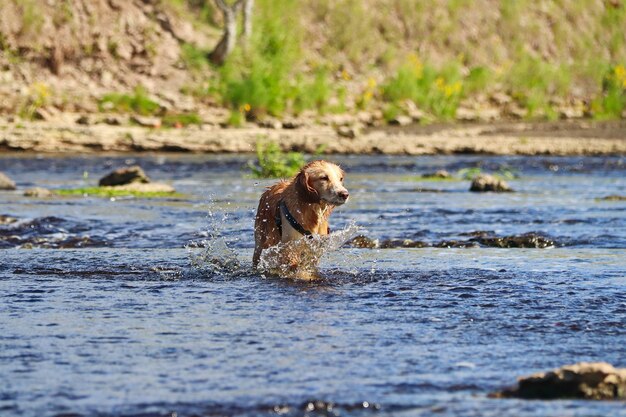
(555, 138)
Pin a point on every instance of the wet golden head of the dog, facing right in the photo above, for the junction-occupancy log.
(321, 181)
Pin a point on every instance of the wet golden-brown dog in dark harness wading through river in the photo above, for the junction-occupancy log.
(291, 210)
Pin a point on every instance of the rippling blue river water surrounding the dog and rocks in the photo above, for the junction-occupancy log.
(106, 314)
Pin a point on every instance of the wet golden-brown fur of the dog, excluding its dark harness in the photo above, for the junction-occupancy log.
(303, 202)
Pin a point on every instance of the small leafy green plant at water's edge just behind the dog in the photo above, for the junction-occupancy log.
(272, 162)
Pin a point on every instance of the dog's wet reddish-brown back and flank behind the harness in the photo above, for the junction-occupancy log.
(266, 232)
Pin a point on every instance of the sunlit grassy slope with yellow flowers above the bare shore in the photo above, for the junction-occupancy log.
(378, 61)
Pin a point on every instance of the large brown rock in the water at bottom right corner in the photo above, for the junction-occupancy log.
(584, 380)
